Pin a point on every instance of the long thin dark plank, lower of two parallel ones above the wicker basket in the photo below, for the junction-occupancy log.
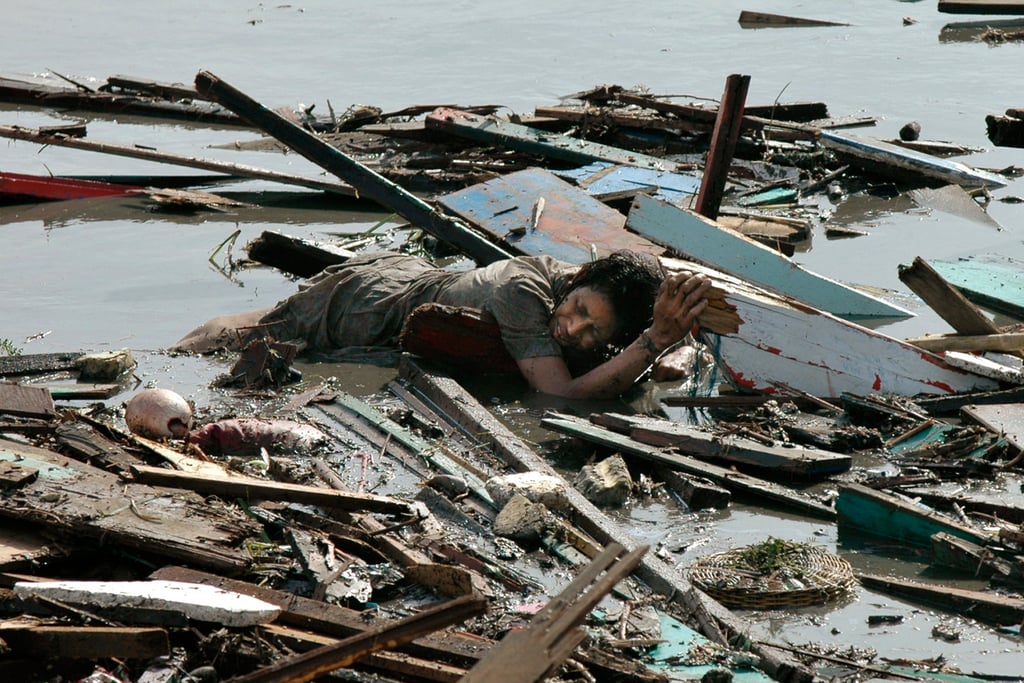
(732, 480)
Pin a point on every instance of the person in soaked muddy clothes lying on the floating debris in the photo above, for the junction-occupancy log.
(614, 317)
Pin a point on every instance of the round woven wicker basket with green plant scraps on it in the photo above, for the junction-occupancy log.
(776, 574)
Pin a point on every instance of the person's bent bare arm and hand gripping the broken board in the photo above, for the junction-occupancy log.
(680, 301)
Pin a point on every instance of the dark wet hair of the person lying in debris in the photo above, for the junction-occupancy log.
(630, 280)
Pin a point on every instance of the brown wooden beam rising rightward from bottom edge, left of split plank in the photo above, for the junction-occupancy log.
(309, 666)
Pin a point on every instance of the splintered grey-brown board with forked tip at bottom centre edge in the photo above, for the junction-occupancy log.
(535, 652)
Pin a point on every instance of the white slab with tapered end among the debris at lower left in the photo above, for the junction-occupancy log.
(204, 604)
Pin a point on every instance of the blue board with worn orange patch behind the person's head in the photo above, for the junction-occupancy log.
(571, 223)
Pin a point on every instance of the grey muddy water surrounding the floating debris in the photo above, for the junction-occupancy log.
(113, 274)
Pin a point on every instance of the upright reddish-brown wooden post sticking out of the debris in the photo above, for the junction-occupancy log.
(723, 145)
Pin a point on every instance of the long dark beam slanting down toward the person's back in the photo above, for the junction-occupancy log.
(368, 183)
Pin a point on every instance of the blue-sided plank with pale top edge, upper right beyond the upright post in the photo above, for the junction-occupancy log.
(903, 163)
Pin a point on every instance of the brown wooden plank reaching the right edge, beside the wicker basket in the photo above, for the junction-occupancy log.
(988, 608)
